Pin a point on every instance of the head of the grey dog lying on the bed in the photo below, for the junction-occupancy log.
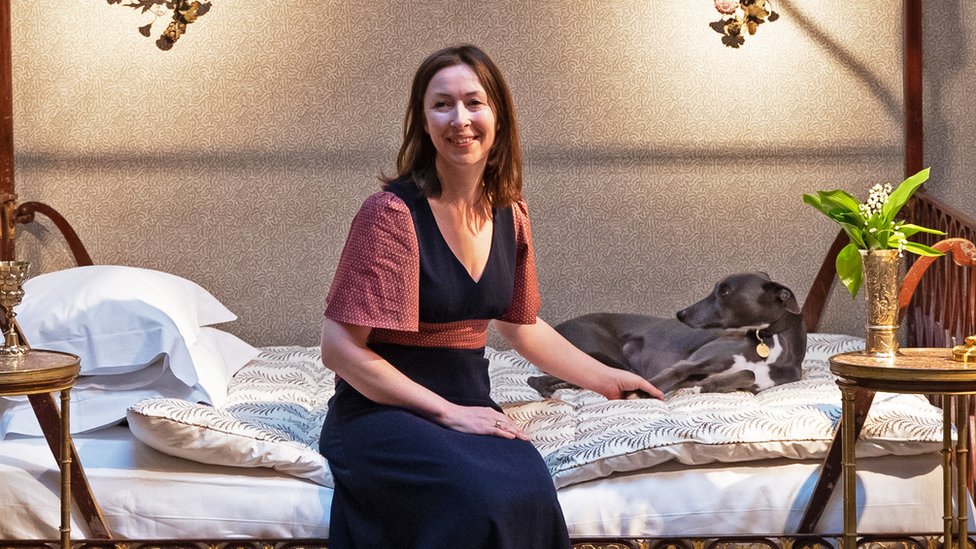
(745, 300)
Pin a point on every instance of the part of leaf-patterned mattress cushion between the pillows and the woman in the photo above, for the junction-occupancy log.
(273, 417)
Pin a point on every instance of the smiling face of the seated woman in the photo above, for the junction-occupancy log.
(458, 117)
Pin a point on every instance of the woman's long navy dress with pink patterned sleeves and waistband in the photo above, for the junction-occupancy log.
(403, 481)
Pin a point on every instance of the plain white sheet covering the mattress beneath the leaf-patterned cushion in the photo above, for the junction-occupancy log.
(147, 494)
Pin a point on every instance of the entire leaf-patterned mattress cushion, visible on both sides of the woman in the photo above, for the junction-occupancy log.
(277, 403)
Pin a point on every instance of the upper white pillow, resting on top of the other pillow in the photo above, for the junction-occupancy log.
(119, 319)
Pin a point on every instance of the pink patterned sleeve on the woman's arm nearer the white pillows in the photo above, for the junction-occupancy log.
(377, 281)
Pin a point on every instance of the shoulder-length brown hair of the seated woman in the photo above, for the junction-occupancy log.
(503, 171)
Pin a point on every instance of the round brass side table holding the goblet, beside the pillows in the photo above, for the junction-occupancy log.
(45, 372)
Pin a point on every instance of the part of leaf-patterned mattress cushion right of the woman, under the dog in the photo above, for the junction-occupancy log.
(583, 436)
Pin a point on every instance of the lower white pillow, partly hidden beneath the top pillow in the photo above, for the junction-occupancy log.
(101, 400)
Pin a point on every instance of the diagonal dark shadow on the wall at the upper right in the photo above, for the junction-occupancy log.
(888, 98)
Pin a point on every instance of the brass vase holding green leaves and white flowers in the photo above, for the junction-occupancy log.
(882, 281)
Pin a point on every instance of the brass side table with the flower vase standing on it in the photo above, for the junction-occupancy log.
(913, 371)
